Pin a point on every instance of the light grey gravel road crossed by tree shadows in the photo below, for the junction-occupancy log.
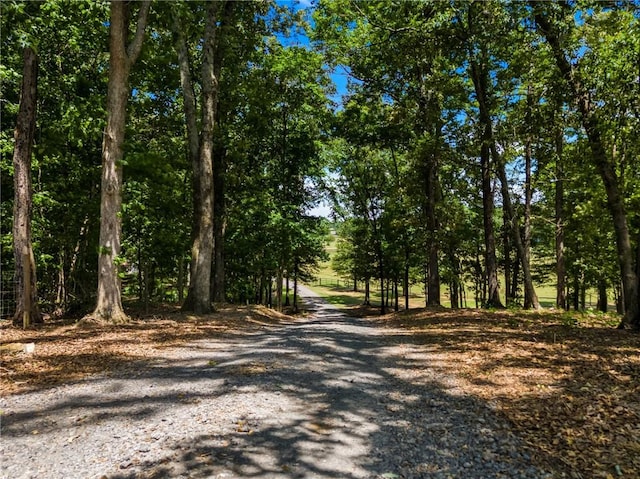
(324, 397)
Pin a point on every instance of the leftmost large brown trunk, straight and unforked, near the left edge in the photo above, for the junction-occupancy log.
(25, 268)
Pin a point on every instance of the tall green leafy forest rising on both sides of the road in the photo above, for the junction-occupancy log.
(173, 152)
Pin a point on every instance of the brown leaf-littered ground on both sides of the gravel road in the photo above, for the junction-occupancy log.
(569, 385)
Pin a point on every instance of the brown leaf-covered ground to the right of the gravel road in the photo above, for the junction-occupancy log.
(570, 387)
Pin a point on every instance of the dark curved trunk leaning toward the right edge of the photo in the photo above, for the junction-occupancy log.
(606, 168)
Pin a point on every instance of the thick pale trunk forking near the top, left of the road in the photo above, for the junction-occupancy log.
(121, 59)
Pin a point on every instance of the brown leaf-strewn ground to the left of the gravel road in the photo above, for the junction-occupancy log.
(66, 352)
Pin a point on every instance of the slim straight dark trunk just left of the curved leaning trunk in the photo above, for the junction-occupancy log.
(561, 272)
